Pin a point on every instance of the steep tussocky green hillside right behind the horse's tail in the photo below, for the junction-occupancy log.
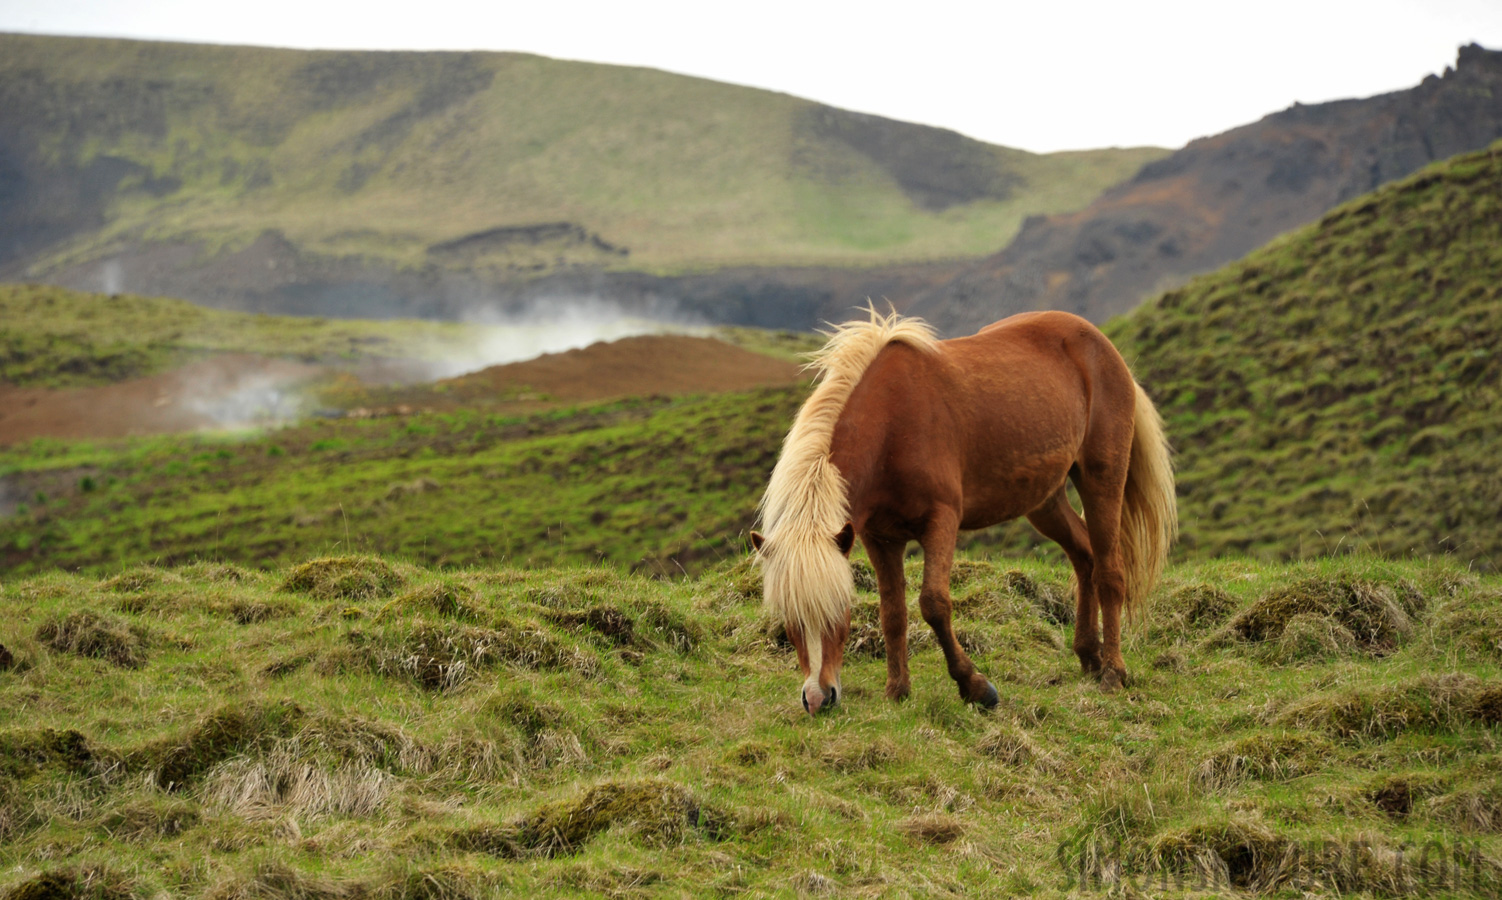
(1344, 385)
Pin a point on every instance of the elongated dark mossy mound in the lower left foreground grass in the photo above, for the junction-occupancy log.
(182, 760)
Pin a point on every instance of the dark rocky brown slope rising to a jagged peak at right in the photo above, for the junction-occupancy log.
(1222, 198)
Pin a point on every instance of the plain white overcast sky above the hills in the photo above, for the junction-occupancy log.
(1040, 76)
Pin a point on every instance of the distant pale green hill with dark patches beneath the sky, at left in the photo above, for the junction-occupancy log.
(504, 163)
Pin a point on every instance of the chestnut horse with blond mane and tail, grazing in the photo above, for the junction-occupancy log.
(908, 438)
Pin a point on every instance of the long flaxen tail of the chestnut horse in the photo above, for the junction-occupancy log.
(1150, 513)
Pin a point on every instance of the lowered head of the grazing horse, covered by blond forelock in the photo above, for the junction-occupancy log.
(807, 581)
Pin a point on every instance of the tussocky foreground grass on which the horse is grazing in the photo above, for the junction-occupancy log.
(360, 728)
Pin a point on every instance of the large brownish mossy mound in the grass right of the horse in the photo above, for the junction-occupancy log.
(1371, 612)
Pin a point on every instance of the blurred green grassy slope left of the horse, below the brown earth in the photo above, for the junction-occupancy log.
(660, 483)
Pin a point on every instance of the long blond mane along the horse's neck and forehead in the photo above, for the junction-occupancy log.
(806, 578)
